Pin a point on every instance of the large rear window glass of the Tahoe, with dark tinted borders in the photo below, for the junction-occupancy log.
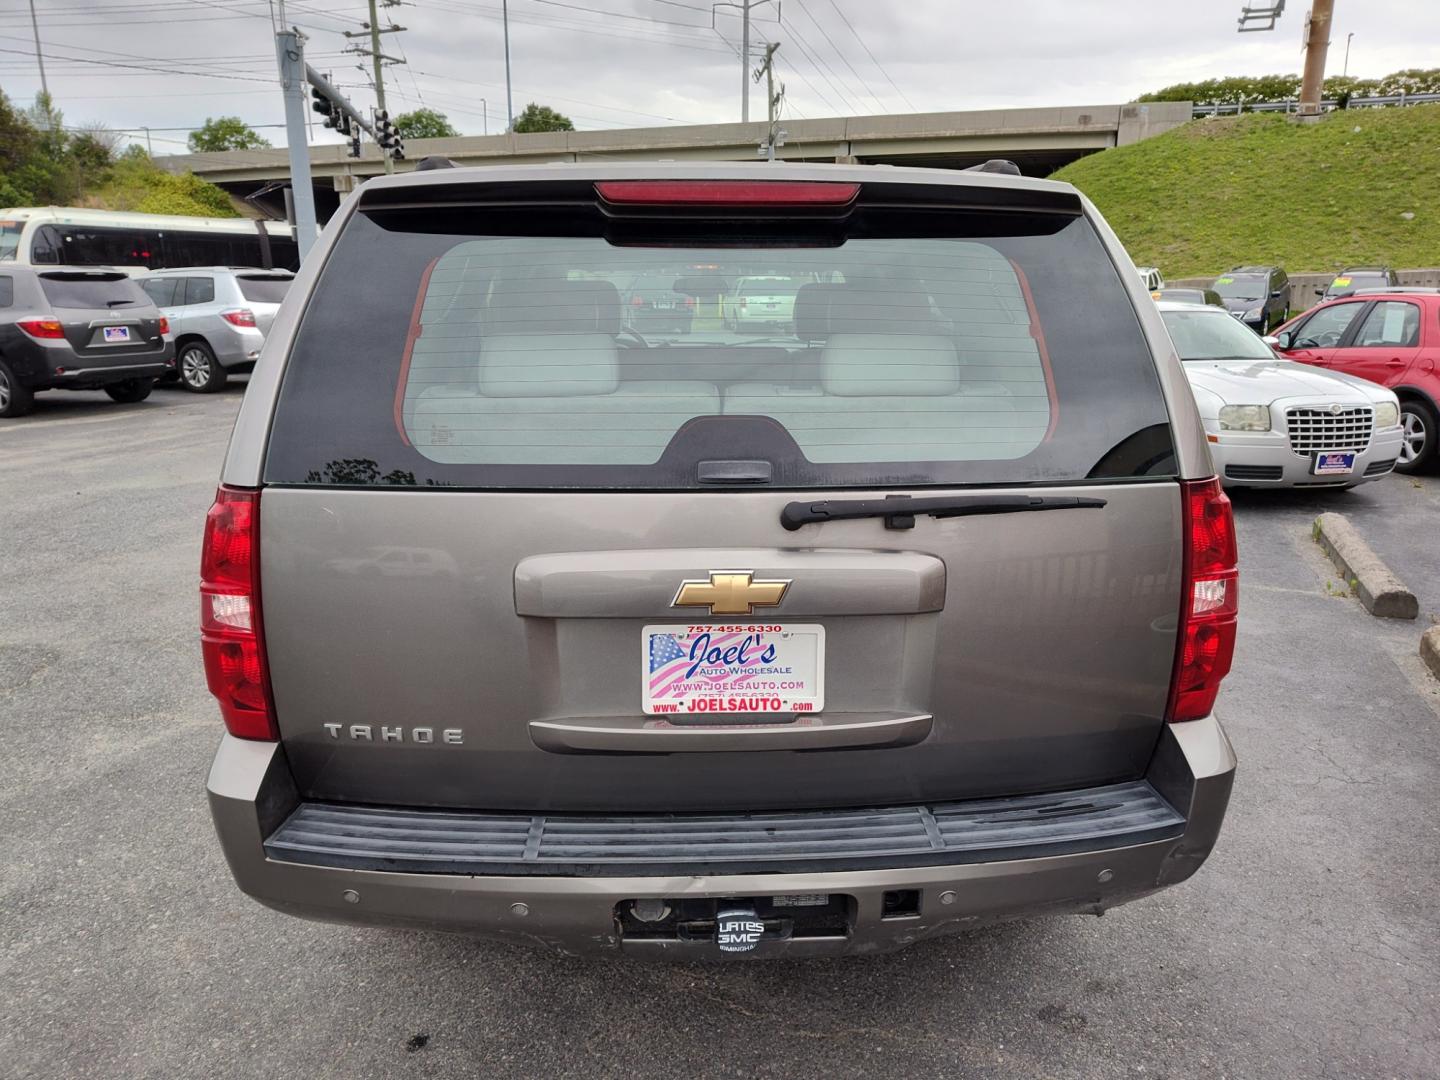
(958, 349)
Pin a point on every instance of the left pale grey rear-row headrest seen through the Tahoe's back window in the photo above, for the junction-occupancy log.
(545, 366)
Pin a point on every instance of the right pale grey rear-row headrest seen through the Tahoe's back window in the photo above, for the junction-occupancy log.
(889, 366)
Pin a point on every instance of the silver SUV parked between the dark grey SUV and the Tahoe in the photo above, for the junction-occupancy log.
(218, 316)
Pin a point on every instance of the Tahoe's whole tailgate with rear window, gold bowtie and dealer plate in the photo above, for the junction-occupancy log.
(516, 557)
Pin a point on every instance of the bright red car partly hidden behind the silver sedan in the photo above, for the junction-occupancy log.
(1390, 338)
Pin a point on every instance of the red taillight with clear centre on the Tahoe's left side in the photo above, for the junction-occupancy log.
(231, 636)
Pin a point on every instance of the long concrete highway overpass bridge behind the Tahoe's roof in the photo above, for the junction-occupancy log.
(1039, 140)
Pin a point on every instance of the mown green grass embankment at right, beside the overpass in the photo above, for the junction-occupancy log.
(1264, 189)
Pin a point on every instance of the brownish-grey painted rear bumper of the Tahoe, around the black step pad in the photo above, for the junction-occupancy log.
(253, 796)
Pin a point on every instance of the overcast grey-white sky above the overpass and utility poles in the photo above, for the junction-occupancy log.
(171, 64)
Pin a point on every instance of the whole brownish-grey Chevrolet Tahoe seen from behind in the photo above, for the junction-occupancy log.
(532, 624)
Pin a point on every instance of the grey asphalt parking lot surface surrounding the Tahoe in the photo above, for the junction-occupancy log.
(1310, 945)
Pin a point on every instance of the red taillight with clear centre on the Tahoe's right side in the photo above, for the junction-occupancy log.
(1210, 597)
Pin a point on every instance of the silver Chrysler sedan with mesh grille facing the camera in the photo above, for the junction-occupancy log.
(1274, 423)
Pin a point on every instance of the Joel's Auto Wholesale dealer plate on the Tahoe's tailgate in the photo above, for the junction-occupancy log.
(734, 669)
